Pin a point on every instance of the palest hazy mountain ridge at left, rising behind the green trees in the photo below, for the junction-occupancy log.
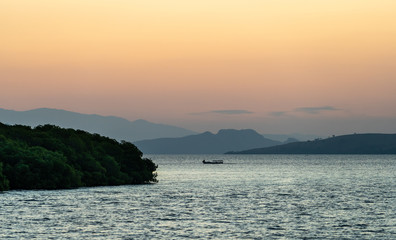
(113, 127)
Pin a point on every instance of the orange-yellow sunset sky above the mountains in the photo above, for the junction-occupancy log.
(277, 66)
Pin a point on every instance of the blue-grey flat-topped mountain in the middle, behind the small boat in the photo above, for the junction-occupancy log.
(207, 143)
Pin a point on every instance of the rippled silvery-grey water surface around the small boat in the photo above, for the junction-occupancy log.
(248, 197)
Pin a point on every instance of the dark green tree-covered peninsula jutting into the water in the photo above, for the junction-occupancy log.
(50, 157)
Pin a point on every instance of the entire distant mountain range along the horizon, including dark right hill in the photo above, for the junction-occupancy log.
(166, 139)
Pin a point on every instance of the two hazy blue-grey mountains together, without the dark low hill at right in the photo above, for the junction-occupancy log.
(148, 137)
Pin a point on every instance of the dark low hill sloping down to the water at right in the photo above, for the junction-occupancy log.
(345, 144)
